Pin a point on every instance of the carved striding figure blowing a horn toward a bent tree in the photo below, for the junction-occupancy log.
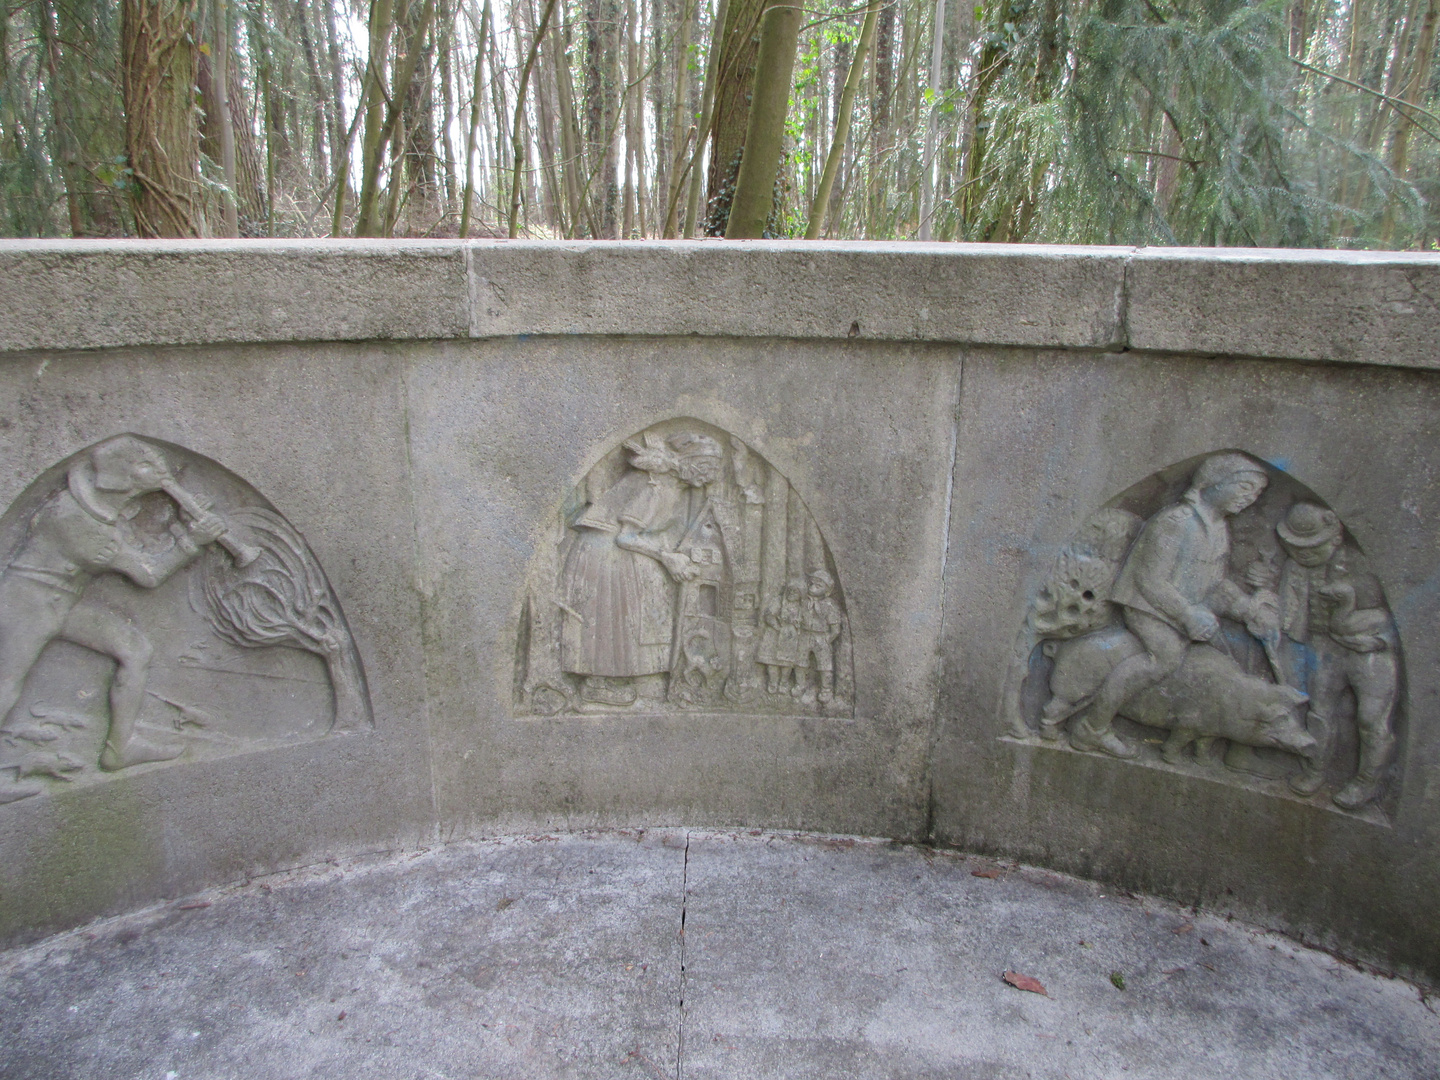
(73, 538)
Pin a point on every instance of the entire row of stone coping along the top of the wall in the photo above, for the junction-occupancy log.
(1360, 307)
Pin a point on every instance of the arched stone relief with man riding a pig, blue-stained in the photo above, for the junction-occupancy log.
(1225, 606)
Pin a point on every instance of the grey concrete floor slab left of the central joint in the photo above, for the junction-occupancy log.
(534, 958)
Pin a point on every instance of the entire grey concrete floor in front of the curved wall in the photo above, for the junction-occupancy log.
(688, 954)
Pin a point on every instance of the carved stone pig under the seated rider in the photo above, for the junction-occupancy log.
(1210, 696)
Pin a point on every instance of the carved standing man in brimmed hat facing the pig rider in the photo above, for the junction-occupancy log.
(1341, 636)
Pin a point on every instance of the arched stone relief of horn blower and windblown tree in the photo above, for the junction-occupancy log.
(143, 621)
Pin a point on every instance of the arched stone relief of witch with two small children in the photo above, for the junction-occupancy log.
(685, 574)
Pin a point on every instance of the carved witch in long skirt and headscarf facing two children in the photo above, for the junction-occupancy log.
(620, 581)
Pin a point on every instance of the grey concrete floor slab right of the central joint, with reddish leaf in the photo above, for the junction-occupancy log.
(866, 961)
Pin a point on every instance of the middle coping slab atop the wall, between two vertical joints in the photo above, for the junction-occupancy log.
(993, 294)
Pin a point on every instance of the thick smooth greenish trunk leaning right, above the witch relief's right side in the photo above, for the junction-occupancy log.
(765, 133)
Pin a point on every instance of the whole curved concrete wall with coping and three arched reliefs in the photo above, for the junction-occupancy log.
(840, 538)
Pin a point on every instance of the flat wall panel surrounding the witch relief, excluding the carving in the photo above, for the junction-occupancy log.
(502, 433)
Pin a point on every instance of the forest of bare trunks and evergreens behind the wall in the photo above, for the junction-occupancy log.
(1277, 123)
